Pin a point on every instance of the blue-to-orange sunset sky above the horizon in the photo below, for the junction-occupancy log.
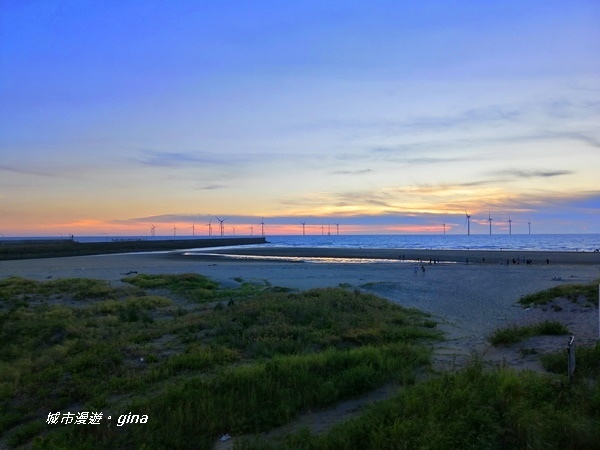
(381, 116)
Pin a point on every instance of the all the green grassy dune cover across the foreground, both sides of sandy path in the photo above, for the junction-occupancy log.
(199, 360)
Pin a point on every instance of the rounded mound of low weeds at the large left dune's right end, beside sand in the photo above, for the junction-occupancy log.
(286, 323)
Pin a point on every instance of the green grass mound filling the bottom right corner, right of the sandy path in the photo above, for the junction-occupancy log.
(470, 409)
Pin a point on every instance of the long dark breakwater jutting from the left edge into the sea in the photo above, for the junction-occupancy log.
(36, 249)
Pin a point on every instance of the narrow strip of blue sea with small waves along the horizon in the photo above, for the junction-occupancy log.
(540, 242)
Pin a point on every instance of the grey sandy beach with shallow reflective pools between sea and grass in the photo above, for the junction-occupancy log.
(470, 300)
